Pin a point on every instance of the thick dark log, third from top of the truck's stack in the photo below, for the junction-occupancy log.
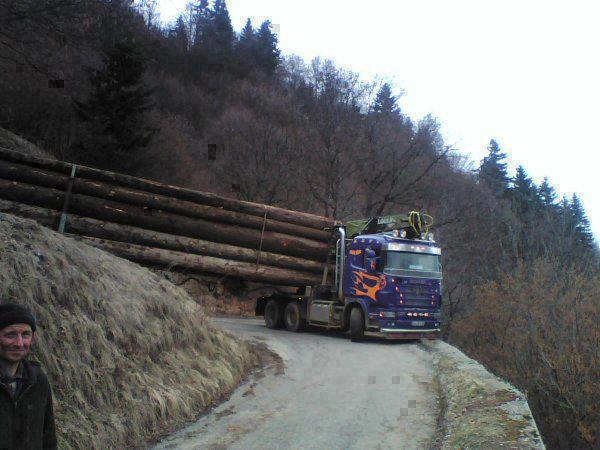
(157, 220)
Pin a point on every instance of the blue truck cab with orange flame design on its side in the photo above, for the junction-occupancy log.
(397, 284)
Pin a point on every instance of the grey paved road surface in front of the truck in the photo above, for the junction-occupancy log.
(332, 394)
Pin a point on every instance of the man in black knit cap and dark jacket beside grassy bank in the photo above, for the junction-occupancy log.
(26, 414)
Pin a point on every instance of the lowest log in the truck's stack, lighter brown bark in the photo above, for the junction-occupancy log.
(178, 261)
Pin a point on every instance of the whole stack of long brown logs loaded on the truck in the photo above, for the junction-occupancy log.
(166, 226)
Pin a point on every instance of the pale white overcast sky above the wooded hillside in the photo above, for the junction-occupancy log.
(526, 72)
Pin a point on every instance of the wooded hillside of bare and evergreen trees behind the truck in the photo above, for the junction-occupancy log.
(198, 104)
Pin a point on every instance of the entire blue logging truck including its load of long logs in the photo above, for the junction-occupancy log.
(381, 275)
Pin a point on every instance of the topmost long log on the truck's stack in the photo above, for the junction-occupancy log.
(204, 198)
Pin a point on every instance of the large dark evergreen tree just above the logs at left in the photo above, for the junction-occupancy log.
(115, 110)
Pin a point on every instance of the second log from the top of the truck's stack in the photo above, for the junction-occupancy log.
(40, 177)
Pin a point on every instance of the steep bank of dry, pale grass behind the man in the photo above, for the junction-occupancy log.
(129, 355)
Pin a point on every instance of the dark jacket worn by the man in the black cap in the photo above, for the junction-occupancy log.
(27, 422)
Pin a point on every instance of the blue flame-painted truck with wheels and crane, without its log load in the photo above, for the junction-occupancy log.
(386, 282)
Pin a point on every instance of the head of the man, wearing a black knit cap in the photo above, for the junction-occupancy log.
(17, 326)
